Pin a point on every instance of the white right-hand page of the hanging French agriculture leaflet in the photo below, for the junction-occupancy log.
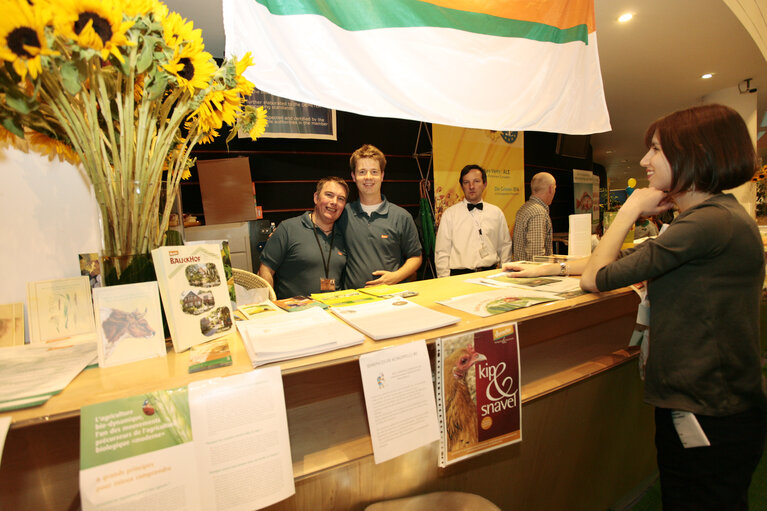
(244, 461)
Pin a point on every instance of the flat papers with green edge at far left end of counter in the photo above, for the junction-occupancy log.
(32, 374)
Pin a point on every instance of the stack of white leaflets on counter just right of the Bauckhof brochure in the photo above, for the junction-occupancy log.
(273, 337)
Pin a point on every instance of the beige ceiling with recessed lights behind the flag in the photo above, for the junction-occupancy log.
(650, 66)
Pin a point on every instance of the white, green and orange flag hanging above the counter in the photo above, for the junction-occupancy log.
(490, 64)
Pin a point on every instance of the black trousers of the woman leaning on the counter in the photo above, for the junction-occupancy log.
(712, 478)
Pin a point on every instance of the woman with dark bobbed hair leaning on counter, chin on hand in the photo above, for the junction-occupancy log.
(705, 275)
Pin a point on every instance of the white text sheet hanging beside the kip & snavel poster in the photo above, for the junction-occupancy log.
(399, 398)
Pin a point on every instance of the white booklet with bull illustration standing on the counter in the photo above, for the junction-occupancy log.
(129, 323)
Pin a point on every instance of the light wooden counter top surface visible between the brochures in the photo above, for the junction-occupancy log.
(96, 385)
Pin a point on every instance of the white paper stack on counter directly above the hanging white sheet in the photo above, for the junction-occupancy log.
(393, 317)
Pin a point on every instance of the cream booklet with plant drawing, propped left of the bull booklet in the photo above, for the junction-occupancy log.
(59, 310)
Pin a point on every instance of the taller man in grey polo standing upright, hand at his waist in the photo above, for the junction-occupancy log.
(383, 242)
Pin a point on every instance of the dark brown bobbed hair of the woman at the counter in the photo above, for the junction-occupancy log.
(708, 147)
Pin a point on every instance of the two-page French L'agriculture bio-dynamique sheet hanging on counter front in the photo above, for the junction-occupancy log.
(219, 444)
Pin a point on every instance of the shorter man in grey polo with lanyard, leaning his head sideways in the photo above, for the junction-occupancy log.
(307, 254)
